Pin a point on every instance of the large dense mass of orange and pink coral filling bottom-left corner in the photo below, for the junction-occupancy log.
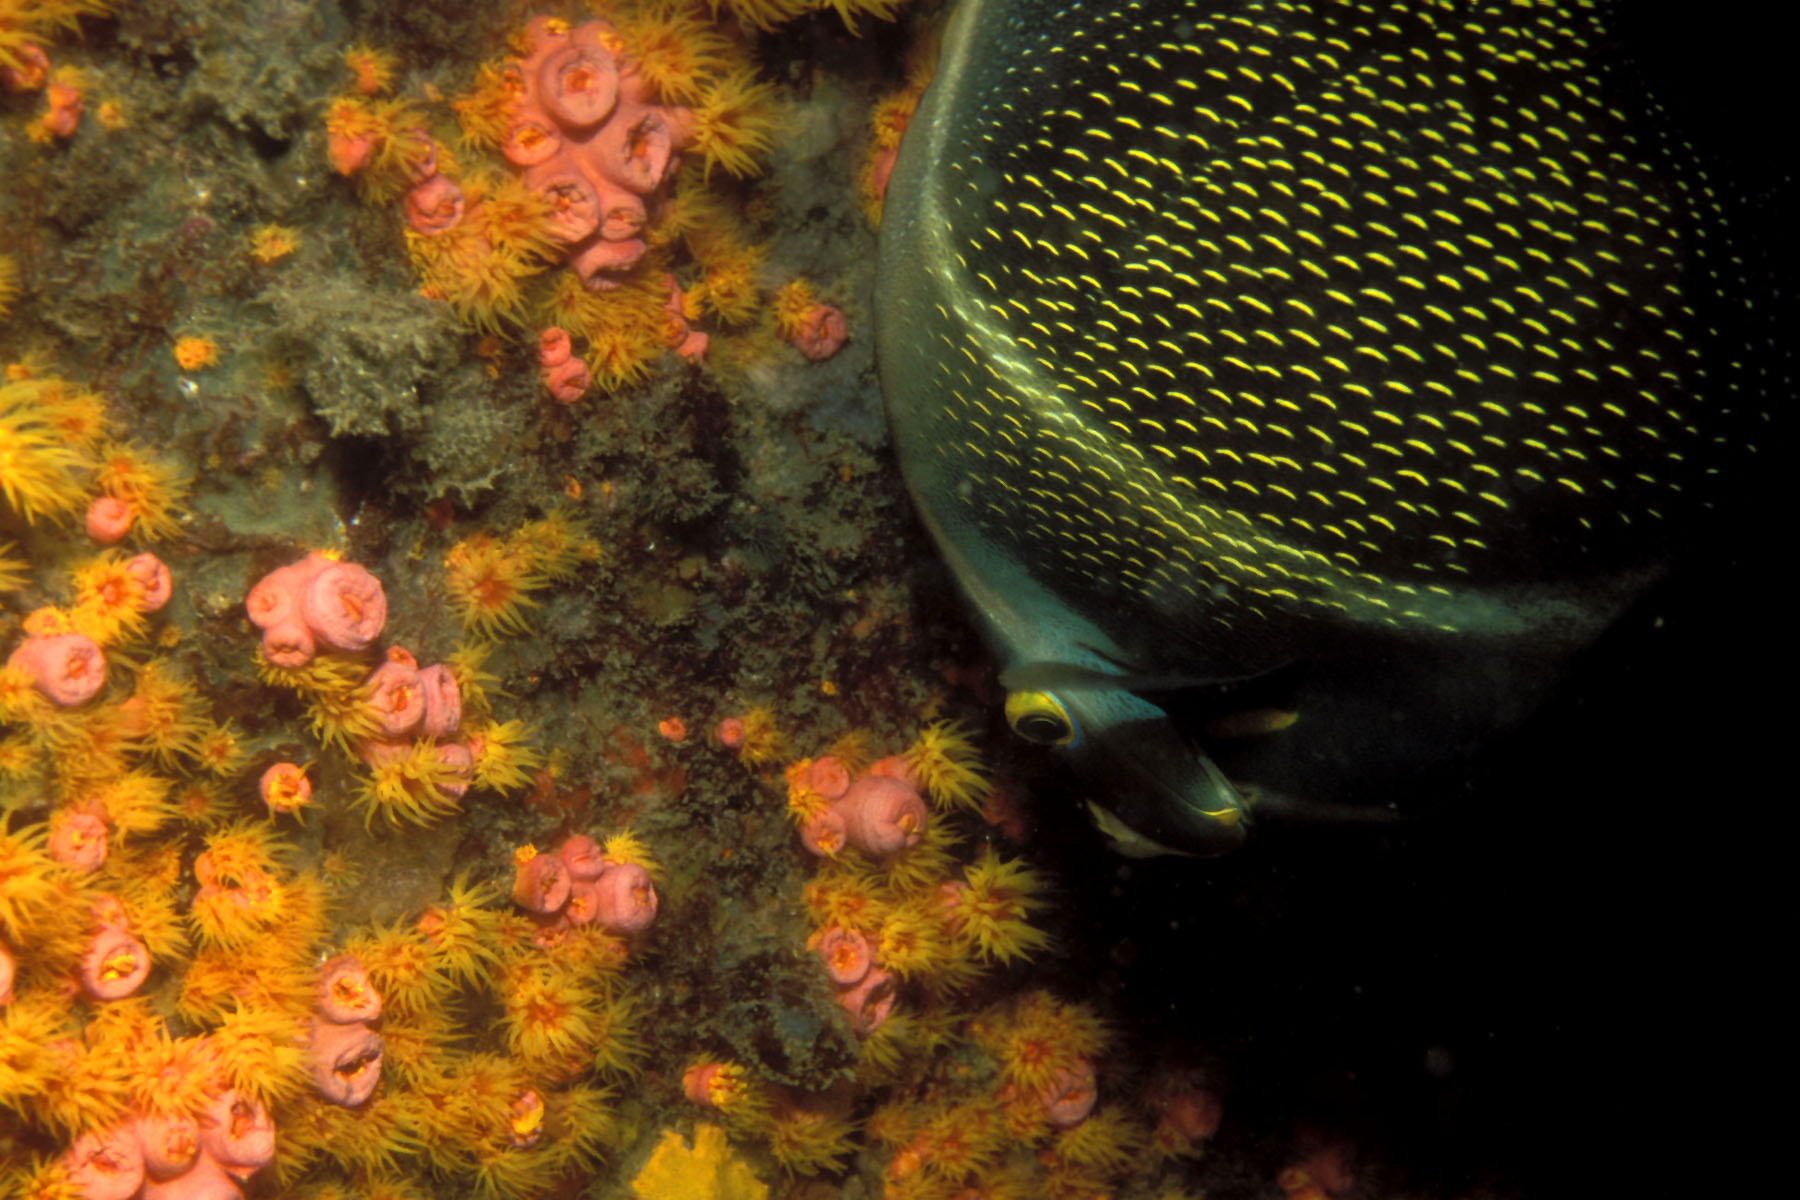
(204, 1025)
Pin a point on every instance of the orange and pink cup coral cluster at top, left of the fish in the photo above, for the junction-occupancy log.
(483, 238)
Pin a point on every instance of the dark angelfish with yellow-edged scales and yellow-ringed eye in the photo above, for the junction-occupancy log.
(1297, 391)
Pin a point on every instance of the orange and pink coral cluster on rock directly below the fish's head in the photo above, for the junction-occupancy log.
(975, 1097)
